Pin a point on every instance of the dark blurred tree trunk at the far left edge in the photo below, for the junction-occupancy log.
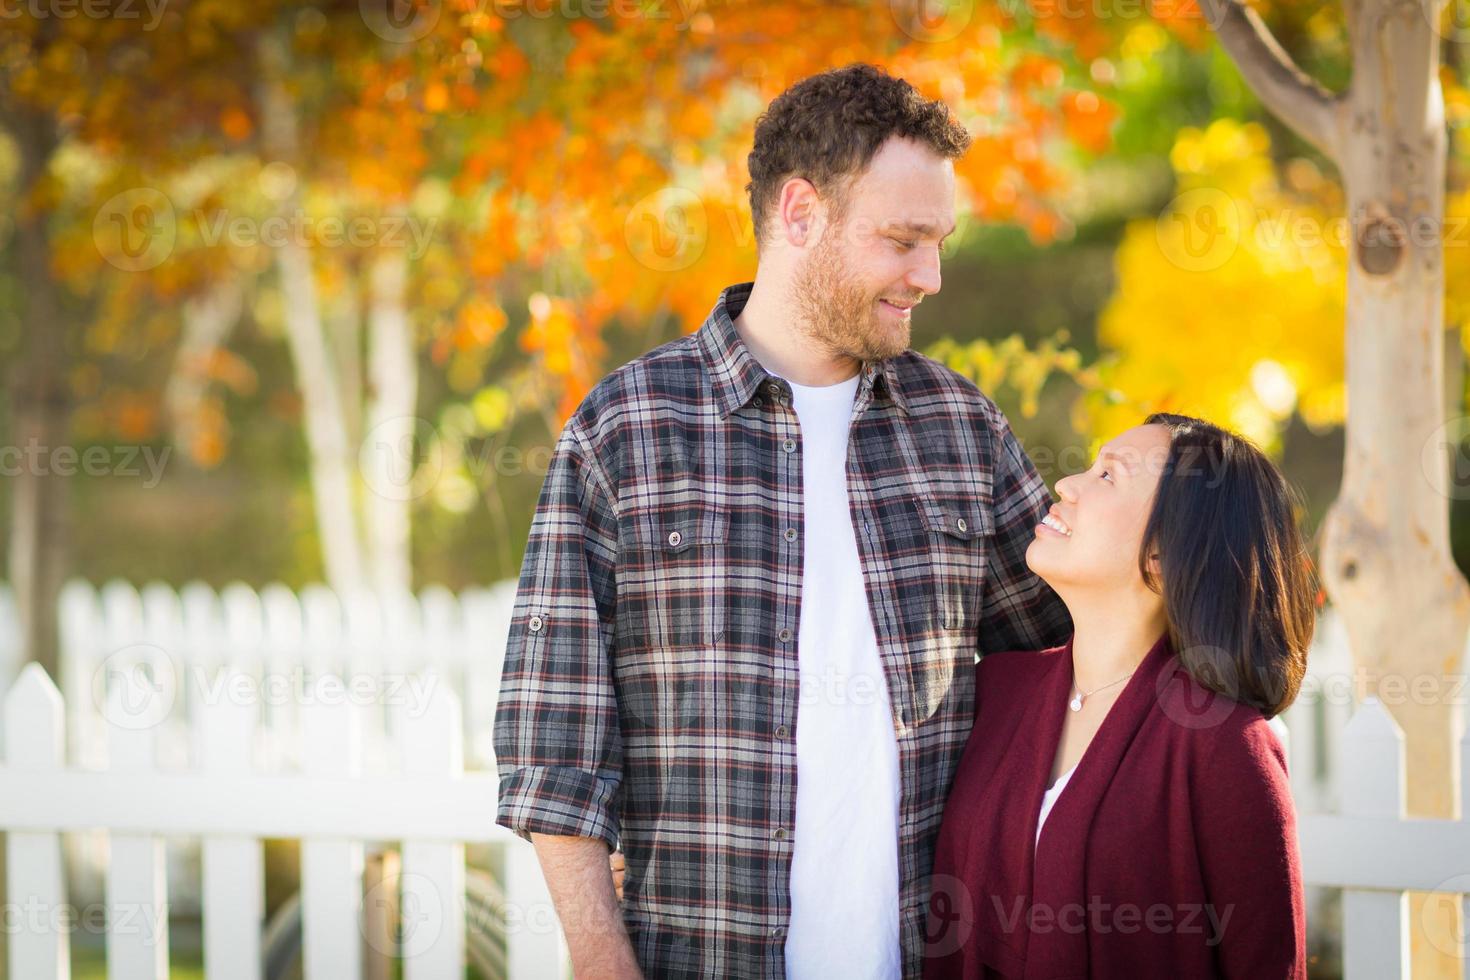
(40, 411)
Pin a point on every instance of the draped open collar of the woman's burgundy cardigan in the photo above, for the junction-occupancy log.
(1059, 872)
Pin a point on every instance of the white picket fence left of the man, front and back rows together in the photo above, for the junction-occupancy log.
(227, 721)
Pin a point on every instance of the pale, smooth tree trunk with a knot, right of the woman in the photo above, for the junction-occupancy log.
(1385, 553)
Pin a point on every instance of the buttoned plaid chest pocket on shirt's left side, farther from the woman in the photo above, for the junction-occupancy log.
(673, 577)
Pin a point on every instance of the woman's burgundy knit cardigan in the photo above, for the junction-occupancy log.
(1171, 853)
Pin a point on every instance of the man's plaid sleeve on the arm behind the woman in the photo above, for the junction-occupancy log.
(1019, 610)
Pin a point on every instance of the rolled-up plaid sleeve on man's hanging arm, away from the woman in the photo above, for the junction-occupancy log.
(556, 734)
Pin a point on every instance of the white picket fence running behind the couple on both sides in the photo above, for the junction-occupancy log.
(167, 738)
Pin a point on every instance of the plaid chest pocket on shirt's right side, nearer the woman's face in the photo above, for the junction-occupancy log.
(961, 537)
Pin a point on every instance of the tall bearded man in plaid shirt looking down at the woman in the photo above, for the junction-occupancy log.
(761, 571)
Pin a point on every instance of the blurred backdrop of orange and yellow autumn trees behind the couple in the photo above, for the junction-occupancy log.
(542, 192)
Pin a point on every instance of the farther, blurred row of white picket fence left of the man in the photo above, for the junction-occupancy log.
(289, 643)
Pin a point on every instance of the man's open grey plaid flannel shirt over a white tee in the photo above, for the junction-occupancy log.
(650, 682)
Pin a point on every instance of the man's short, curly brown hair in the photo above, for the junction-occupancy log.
(828, 127)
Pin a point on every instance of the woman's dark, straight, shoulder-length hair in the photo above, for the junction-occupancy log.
(1233, 565)
